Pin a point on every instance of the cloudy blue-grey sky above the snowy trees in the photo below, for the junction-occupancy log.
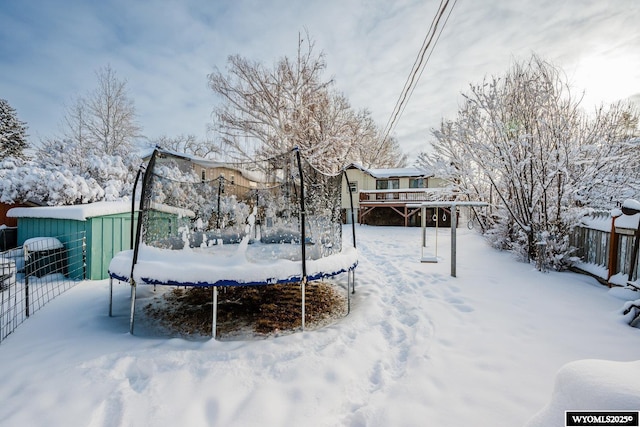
(50, 51)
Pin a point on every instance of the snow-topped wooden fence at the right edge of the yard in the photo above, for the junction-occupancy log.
(605, 247)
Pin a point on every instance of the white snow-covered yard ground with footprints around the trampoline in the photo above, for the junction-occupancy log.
(419, 348)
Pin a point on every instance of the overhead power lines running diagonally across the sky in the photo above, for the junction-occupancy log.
(418, 68)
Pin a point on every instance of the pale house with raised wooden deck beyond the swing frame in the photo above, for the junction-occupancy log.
(391, 196)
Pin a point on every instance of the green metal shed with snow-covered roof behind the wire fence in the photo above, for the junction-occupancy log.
(102, 228)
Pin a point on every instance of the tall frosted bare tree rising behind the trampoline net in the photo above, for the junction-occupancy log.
(268, 111)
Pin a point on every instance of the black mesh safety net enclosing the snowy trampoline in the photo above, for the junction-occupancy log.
(213, 207)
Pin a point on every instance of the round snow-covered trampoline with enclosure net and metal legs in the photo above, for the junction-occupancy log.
(210, 224)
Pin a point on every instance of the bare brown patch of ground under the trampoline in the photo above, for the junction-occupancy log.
(247, 311)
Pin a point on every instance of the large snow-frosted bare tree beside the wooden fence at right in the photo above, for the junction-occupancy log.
(523, 139)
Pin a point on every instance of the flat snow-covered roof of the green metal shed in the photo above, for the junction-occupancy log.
(75, 212)
